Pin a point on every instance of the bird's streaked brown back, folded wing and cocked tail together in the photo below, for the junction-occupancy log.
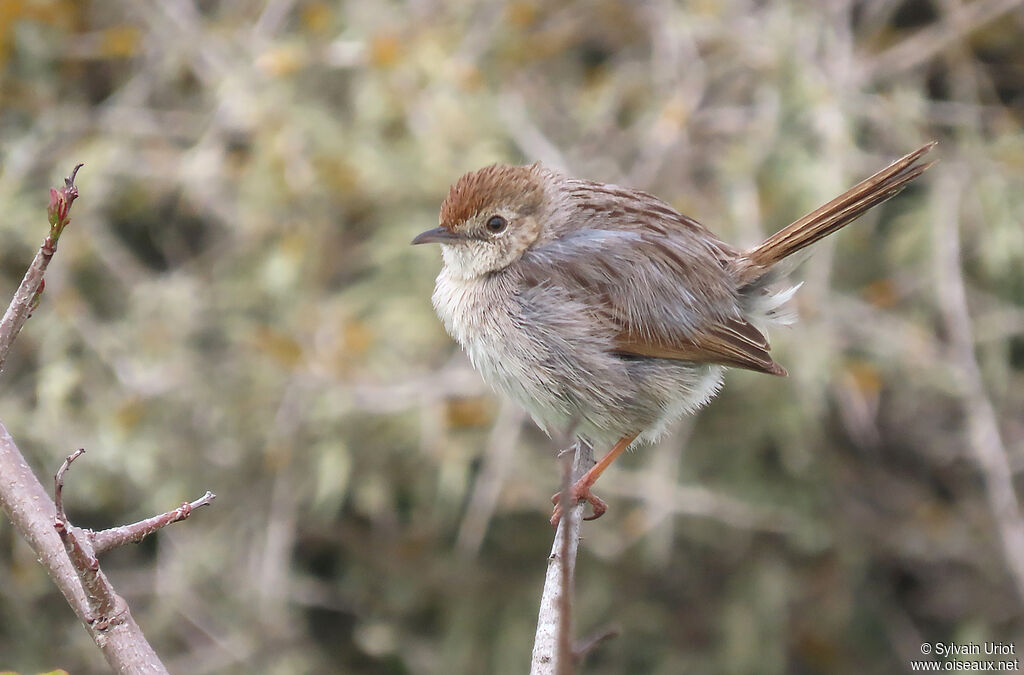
(665, 285)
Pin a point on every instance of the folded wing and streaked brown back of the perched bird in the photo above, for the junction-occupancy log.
(657, 278)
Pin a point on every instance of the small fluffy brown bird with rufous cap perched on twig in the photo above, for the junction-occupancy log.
(604, 311)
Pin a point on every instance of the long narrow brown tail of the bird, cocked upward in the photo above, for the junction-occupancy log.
(836, 215)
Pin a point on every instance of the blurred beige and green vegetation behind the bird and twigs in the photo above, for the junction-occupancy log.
(236, 308)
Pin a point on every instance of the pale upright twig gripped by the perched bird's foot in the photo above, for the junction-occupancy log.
(551, 654)
